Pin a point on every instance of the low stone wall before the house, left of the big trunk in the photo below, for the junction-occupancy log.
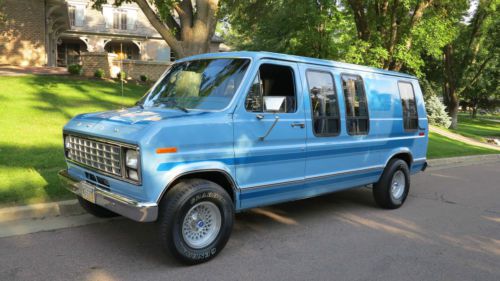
(91, 61)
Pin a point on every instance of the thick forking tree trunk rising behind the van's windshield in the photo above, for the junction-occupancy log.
(186, 25)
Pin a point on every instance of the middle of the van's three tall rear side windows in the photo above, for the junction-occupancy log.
(355, 104)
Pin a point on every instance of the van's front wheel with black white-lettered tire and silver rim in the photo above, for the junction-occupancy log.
(195, 220)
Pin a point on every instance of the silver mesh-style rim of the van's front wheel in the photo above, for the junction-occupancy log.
(201, 225)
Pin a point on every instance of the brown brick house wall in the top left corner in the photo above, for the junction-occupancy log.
(22, 36)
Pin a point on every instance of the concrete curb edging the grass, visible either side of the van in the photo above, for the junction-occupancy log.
(72, 207)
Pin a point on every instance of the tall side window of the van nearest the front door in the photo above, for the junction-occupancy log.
(324, 103)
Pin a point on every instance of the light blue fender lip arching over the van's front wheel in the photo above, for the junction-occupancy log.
(192, 168)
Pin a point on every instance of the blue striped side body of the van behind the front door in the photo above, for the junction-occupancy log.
(364, 155)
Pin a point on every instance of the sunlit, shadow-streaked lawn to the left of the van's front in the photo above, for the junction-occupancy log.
(33, 110)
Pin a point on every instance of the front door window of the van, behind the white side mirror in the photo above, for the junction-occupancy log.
(272, 81)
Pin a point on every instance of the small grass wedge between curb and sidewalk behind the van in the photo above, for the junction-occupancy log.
(440, 147)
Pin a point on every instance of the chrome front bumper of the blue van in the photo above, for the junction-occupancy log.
(138, 211)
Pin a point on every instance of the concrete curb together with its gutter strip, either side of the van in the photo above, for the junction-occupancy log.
(48, 216)
